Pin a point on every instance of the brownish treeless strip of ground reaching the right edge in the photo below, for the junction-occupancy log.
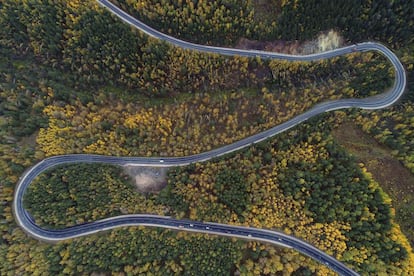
(395, 179)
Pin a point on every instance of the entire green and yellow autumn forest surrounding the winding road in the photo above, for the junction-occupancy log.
(74, 79)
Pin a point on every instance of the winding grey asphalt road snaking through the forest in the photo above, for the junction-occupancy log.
(27, 223)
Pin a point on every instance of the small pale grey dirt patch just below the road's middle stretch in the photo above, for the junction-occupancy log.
(148, 179)
